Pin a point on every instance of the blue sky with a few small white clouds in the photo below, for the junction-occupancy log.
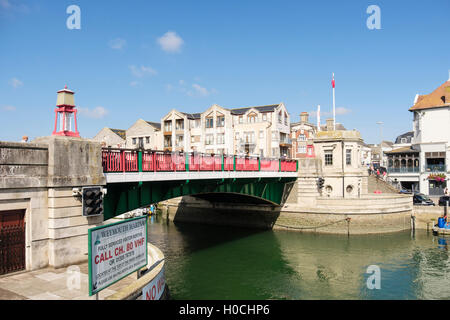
(140, 59)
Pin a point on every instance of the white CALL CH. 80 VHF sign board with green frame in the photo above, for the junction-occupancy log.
(115, 251)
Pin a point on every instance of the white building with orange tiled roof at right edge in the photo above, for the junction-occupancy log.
(431, 119)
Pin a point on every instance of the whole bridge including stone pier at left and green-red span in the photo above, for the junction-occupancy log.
(39, 207)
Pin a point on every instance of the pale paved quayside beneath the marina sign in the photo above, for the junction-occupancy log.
(69, 283)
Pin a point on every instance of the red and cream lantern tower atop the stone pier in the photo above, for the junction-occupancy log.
(64, 113)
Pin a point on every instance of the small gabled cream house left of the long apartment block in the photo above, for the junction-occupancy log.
(144, 134)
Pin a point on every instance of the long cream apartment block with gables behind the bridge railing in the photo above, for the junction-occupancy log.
(260, 130)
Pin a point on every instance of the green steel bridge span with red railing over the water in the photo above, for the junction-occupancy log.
(137, 178)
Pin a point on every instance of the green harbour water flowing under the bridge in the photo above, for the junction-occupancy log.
(211, 262)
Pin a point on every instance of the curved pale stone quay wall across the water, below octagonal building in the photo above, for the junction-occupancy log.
(370, 214)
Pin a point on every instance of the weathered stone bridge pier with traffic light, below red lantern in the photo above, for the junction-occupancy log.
(36, 181)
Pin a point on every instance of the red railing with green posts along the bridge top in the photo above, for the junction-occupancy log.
(125, 160)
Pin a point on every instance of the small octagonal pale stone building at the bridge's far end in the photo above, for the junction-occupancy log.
(340, 153)
